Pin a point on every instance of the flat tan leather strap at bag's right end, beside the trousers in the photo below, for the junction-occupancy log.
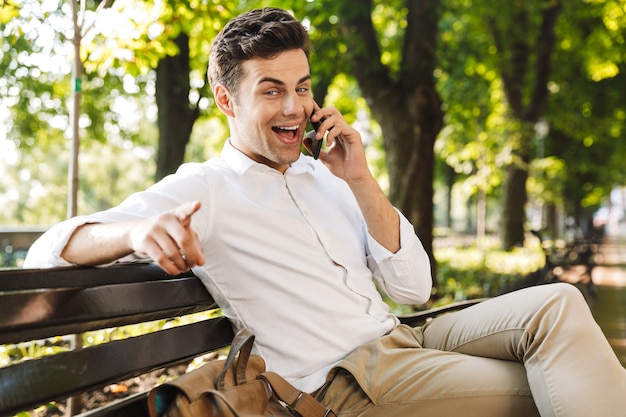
(301, 402)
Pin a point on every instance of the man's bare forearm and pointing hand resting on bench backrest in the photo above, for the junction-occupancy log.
(166, 238)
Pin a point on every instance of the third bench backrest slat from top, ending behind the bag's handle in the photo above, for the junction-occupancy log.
(32, 383)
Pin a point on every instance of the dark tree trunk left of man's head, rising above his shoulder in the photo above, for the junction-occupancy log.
(175, 114)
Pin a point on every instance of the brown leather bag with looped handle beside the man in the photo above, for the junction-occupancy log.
(237, 386)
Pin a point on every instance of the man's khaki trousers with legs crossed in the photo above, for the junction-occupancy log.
(536, 351)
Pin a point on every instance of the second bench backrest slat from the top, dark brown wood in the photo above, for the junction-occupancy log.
(26, 316)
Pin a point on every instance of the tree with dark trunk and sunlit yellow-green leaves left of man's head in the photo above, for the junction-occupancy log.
(175, 47)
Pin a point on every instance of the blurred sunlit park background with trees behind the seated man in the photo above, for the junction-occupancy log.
(497, 127)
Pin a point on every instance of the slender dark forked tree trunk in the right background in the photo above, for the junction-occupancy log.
(526, 89)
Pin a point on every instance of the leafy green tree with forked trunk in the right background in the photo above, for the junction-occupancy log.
(486, 69)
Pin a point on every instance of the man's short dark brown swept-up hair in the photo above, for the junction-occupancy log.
(259, 33)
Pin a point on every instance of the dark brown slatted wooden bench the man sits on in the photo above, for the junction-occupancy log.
(40, 304)
